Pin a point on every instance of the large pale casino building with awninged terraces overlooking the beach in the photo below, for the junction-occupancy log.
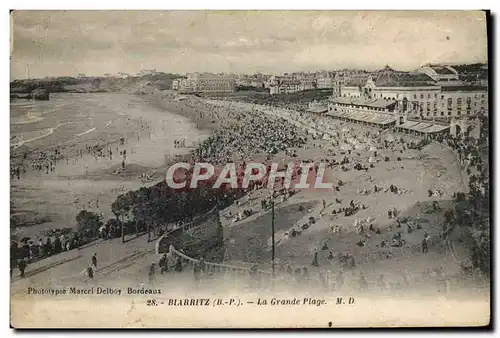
(427, 101)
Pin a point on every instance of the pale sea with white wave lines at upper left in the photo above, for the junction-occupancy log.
(72, 120)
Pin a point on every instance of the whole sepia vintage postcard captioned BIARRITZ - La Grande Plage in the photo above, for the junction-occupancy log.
(249, 169)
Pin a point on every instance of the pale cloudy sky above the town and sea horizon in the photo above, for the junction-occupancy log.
(65, 43)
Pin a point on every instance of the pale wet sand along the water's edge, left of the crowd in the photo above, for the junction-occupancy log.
(101, 183)
